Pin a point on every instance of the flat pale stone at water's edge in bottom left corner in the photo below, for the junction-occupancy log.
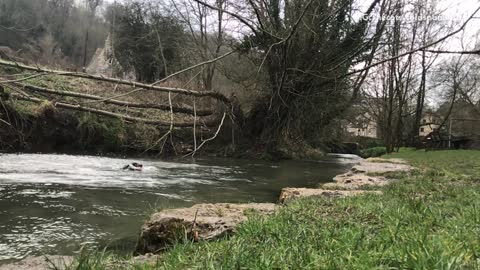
(40, 263)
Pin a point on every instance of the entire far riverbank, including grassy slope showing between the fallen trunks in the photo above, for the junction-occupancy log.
(28, 126)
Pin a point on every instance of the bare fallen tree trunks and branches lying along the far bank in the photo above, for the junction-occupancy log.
(43, 95)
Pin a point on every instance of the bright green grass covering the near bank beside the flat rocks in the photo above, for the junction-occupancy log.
(429, 219)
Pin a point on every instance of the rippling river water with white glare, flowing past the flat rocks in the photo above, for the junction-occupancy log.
(55, 204)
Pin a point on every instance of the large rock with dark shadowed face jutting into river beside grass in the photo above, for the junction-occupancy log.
(199, 222)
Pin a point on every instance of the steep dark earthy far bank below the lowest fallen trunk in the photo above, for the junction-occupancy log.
(43, 128)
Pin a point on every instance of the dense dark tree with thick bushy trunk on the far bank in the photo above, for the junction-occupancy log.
(304, 53)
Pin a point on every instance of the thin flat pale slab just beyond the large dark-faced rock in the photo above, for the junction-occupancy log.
(293, 193)
